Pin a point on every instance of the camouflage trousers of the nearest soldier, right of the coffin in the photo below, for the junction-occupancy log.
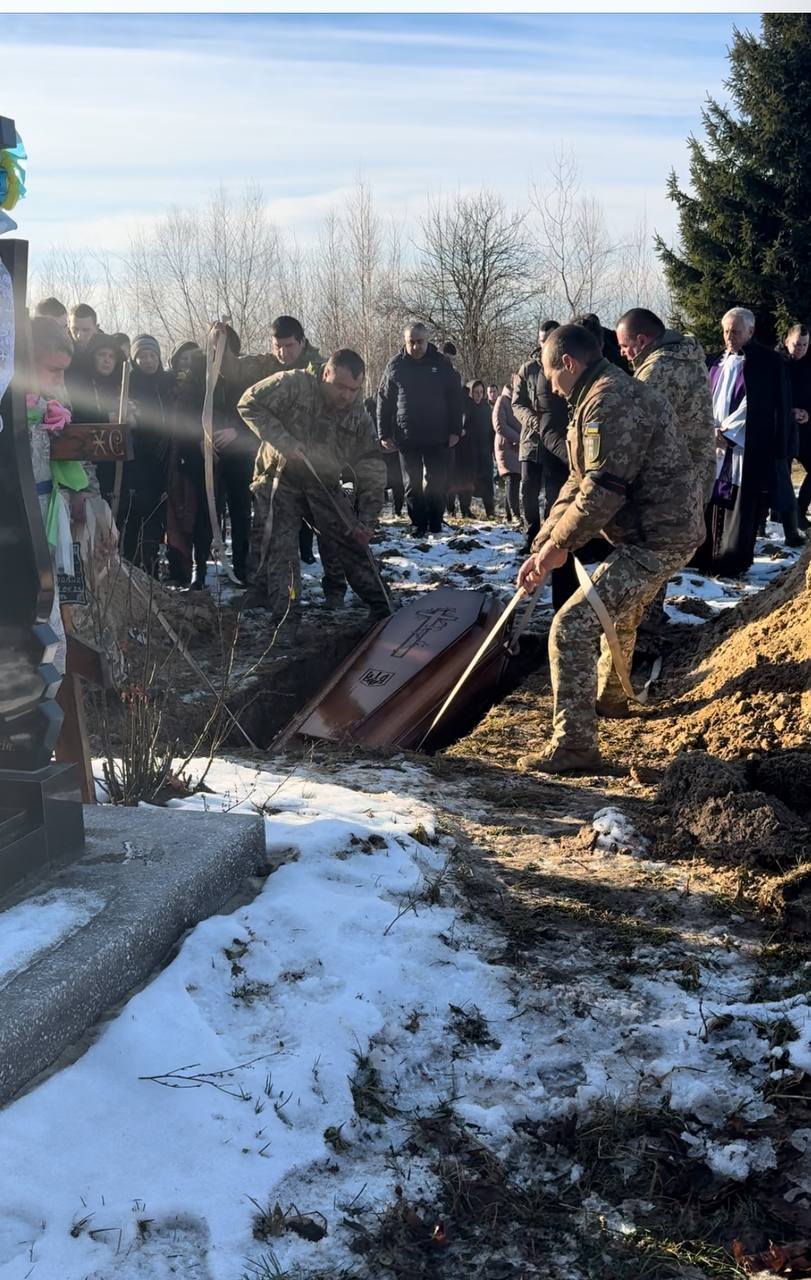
(580, 660)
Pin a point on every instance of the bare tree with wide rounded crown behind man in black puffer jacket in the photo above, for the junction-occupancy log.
(474, 278)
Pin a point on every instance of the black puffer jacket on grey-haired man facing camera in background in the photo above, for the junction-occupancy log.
(420, 401)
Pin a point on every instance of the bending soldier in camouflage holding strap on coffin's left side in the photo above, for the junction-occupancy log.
(297, 417)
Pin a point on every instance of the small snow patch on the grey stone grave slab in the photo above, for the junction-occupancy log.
(42, 924)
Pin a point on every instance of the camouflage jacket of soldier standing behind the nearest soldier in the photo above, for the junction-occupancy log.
(676, 367)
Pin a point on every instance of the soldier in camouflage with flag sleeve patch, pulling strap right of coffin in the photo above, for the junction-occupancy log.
(630, 482)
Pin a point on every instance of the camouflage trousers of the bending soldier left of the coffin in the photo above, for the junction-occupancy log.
(278, 578)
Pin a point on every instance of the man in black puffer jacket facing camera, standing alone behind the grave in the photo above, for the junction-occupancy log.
(420, 414)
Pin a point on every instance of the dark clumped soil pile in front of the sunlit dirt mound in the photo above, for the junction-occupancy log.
(709, 804)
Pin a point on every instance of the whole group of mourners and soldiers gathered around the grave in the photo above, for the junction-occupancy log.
(626, 446)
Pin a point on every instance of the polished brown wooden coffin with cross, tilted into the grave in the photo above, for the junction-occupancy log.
(392, 685)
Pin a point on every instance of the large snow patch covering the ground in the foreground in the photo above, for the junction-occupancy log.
(282, 1055)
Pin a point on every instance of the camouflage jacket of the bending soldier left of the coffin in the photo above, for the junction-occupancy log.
(290, 414)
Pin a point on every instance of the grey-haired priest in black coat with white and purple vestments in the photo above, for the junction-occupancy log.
(752, 412)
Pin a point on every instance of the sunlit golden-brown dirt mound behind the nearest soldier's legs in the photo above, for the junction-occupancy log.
(736, 687)
